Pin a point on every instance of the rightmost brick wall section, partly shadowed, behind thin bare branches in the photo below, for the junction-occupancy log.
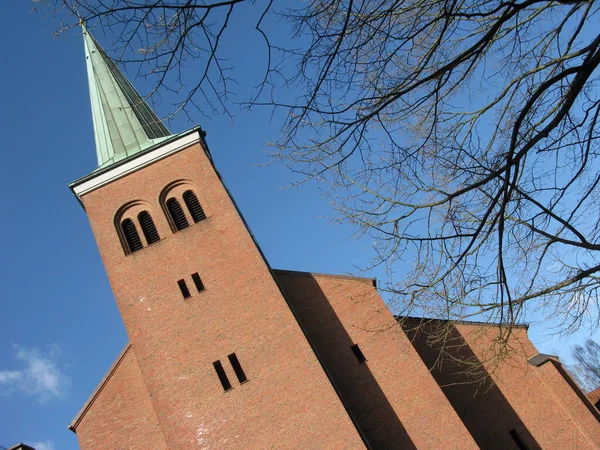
(535, 401)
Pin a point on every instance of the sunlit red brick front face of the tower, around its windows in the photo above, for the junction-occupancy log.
(288, 401)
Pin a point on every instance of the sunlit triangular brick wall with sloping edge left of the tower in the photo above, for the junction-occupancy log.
(121, 416)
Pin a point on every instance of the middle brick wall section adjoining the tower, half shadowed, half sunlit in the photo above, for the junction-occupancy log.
(393, 397)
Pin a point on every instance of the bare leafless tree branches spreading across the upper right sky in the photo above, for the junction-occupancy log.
(461, 136)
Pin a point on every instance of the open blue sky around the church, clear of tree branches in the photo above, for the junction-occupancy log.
(61, 329)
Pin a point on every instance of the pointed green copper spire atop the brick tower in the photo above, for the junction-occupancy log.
(123, 123)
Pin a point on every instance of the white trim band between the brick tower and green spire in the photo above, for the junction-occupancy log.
(144, 160)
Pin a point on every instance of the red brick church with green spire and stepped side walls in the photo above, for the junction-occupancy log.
(225, 352)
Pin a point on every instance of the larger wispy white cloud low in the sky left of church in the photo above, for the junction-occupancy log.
(40, 377)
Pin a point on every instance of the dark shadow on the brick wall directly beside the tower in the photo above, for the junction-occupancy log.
(357, 386)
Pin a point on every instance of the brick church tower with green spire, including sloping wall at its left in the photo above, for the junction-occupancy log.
(216, 354)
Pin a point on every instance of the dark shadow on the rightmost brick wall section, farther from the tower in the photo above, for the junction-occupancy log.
(482, 407)
